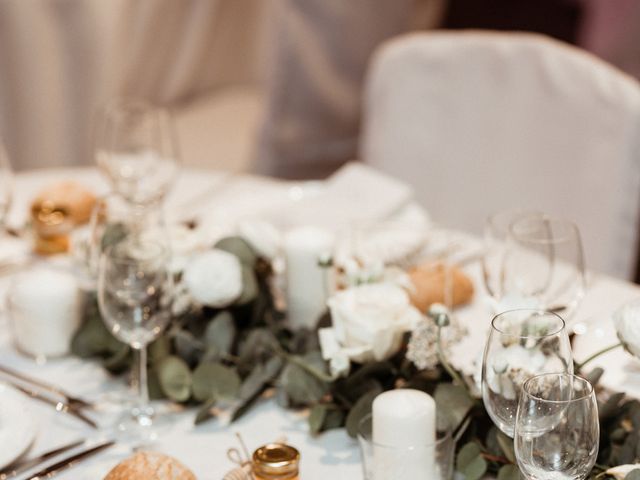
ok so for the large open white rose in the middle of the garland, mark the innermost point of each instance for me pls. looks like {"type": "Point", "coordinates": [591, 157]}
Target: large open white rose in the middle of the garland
{"type": "Point", "coordinates": [368, 323]}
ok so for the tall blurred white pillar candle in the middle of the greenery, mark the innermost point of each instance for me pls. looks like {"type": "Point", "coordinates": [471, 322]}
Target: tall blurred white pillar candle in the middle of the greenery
{"type": "Point", "coordinates": [306, 280]}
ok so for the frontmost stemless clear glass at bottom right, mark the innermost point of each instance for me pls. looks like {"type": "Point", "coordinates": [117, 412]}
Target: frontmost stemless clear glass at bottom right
{"type": "Point", "coordinates": [557, 429]}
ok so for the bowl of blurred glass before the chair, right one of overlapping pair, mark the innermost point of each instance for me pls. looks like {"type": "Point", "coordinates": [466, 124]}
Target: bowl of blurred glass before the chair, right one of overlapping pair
{"type": "Point", "coordinates": [544, 263]}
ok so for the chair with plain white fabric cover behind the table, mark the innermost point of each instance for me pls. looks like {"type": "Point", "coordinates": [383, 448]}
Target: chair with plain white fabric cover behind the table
{"type": "Point", "coordinates": [480, 122]}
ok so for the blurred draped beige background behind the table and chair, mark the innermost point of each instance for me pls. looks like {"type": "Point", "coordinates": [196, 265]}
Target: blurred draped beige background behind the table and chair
{"type": "Point", "coordinates": [270, 86]}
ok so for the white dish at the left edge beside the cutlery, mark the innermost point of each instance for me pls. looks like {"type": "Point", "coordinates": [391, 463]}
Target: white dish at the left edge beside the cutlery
{"type": "Point", "coordinates": [17, 425]}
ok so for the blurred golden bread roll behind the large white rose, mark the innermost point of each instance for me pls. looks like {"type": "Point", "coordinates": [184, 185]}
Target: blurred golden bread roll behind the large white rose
{"type": "Point", "coordinates": [429, 281]}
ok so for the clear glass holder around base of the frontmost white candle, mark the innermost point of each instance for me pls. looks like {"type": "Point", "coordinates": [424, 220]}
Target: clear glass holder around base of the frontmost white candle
{"type": "Point", "coordinates": [420, 462]}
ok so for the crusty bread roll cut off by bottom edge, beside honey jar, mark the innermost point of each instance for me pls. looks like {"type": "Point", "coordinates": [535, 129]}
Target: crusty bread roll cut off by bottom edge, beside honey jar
{"type": "Point", "coordinates": [150, 466]}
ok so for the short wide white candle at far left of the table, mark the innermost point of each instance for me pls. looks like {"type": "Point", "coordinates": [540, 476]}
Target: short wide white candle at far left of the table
{"type": "Point", "coordinates": [45, 307]}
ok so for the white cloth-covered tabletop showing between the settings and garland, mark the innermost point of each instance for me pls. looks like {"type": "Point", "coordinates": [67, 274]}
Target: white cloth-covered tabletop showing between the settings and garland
{"type": "Point", "coordinates": [219, 197]}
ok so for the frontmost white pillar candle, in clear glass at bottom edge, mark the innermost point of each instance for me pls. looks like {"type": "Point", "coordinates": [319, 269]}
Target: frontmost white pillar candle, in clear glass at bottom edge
{"type": "Point", "coordinates": [404, 435]}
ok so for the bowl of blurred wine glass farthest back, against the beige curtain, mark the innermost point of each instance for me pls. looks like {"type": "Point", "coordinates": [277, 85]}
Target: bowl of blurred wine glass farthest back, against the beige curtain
{"type": "Point", "coordinates": [136, 147]}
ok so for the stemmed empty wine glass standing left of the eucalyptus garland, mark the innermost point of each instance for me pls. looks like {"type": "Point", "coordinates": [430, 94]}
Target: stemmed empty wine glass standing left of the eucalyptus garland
{"type": "Point", "coordinates": [134, 296]}
